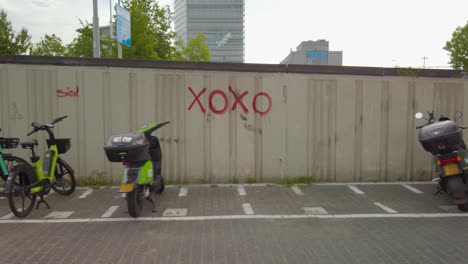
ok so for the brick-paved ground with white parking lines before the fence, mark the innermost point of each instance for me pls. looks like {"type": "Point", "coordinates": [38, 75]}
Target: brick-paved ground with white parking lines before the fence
{"type": "Point", "coordinates": [321, 223]}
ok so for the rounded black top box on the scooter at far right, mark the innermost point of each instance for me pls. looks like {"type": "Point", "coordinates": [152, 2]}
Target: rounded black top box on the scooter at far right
{"type": "Point", "coordinates": [441, 137]}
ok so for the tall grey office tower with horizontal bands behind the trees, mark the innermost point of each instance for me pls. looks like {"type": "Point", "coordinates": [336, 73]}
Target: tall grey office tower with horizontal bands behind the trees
{"type": "Point", "coordinates": [222, 21]}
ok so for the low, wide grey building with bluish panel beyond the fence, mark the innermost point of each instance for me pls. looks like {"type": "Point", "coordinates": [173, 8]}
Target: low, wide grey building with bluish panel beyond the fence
{"type": "Point", "coordinates": [314, 53]}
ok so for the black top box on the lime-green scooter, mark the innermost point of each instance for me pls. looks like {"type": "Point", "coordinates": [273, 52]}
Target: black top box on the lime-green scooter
{"type": "Point", "coordinates": [130, 147]}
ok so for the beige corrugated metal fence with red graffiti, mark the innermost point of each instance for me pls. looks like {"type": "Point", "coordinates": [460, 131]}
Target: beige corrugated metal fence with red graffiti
{"type": "Point", "coordinates": [233, 122]}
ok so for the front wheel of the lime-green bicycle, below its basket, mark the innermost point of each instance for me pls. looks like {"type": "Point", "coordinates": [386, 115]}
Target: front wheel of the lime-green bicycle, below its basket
{"type": "Point", "coordinates": [65, 182]}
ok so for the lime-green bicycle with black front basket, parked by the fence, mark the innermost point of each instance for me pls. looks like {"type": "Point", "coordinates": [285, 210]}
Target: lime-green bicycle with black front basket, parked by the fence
{"type": "Point", "coordinates": [27, 181]}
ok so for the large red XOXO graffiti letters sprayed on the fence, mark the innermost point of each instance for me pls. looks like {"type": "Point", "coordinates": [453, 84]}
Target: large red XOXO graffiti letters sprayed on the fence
{"type": "Point", "coordinates": [237, 101]}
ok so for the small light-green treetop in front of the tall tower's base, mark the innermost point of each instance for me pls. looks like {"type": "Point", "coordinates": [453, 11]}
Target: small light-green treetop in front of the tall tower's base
{"type": "Point", "coordinates": [196, 49]}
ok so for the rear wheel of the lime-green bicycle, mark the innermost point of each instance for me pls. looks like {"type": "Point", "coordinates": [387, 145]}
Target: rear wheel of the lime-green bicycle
{"type": "Point", "coordinates": [20, 198]}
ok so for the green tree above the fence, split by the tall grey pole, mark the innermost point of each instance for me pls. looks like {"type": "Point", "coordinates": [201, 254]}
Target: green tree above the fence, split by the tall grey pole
{"type": "Point", "coordinates": [82, 46]}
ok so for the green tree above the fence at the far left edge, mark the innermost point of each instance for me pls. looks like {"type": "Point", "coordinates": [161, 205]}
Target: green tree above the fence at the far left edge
{"type": "Point", "coordinates": [10, 42]}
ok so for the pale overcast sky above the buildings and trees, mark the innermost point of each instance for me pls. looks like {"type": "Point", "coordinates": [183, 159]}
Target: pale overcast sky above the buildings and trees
{"type": "Point", "coordinates": [371, 33]}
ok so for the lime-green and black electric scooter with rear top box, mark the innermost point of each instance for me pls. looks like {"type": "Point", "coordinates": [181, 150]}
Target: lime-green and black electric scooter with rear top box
{"type": "Point", "coordinates": [141, 155]}
